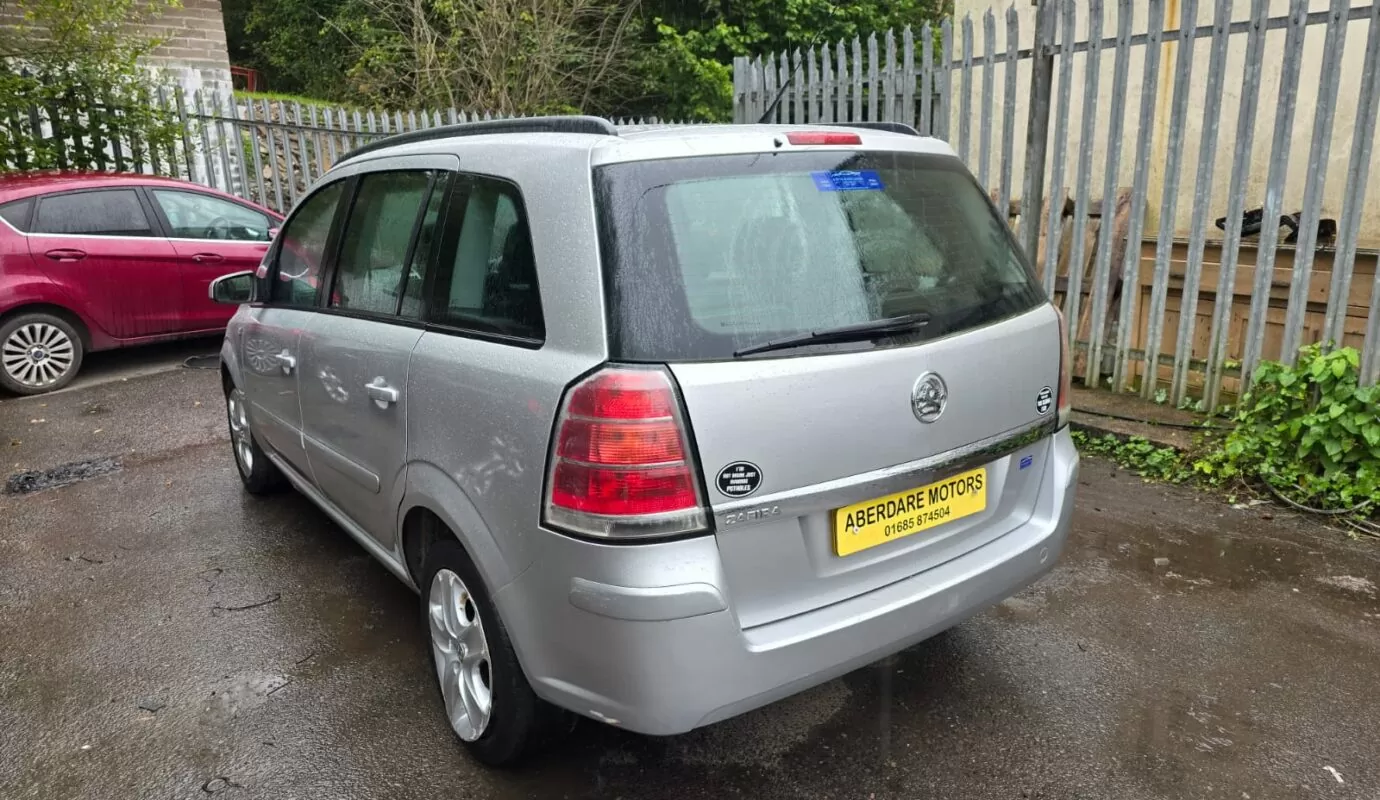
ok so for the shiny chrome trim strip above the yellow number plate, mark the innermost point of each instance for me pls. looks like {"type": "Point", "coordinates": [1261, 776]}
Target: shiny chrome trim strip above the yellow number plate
{"type": "Point", "coordinates": [807, 500]}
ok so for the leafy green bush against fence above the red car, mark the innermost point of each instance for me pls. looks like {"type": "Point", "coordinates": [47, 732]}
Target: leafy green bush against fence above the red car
{"type": "Point", "coordinates": [75, 64]}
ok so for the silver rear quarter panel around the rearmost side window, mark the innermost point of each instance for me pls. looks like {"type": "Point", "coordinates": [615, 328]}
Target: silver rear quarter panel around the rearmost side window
{"type": "Point", "coordinates": [480, 413]}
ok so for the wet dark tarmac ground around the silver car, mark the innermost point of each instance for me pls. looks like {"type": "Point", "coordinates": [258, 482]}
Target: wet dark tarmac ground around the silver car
{"type": "Point", "coordinates": [165, 635]}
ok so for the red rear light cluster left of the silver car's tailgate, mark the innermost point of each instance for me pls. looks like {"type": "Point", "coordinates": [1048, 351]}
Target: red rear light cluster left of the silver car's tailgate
{"type": "Point", "coordinates": [622, 464]}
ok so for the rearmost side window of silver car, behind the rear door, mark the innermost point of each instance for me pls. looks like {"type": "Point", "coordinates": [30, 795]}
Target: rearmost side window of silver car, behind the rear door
{"type": "Point", "coordinates": [491, 283]}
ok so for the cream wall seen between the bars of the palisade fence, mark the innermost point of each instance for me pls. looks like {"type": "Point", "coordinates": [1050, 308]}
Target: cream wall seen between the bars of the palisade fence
{"type": "Point", "coordinates": [1228, 139]}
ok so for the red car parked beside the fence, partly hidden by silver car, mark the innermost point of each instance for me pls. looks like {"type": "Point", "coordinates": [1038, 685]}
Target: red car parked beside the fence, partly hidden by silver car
{"type": "Point", "coordinates": [97, 261]}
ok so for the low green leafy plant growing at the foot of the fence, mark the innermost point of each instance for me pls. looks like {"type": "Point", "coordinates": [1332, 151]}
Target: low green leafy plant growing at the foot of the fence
{"type": "Point", "coordinates": [1310, 432]}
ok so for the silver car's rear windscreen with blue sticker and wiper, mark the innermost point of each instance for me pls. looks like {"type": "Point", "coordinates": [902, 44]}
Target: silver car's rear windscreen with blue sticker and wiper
{"type": "Point", "coordinates": [707, 256]}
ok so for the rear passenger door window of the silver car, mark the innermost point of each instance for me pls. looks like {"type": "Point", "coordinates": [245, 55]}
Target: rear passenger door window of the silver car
{"type": "Point", "coordinates": [375, 245]}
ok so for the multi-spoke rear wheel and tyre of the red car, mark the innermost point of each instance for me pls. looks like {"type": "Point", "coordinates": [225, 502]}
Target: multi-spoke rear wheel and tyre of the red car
{"type": "Point", "coordinates": [39, 354]}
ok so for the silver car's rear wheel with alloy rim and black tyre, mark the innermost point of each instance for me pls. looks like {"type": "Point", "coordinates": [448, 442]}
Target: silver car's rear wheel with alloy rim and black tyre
{"type": "Point", "coordinates": [488, 700]}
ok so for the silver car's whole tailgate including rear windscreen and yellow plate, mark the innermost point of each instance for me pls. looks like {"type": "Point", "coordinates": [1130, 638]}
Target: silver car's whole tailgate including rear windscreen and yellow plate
{"type": "Point", "coordinates": [848, 326]}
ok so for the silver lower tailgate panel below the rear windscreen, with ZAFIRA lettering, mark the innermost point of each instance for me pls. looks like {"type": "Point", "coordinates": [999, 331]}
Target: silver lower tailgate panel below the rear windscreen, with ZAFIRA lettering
{"type": "Point", "coordinates": [829, 432]}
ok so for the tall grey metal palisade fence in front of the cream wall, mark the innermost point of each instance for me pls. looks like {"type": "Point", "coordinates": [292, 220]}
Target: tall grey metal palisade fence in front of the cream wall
{"type": "Point", "coordinates": [1192, 190]}
